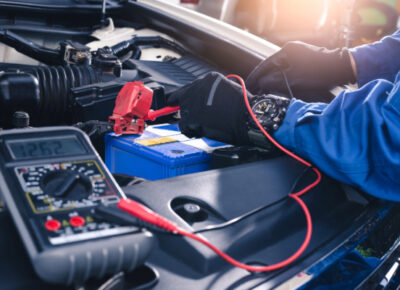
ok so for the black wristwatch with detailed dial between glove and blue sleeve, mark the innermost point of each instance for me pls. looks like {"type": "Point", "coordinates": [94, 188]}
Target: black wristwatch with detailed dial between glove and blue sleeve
{"type": "Point", "coordinates": [270, 110]}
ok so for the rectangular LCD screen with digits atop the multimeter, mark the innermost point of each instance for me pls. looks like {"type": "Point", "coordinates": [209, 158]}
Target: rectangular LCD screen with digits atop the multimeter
{"type": "Point", "coordinates": [44, 147]}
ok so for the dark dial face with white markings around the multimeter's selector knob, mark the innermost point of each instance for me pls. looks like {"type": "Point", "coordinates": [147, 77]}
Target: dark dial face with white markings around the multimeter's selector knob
{"type": "Point", "coordinates": [62, 186]}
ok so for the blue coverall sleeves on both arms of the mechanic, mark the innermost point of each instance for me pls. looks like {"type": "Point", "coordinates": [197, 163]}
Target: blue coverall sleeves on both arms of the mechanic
{"type": "Point", "coordinates": [355, 138]}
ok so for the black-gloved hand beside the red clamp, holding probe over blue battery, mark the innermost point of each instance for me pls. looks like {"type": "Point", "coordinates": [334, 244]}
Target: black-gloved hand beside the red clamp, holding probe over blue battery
{"type": "Point", "coordinates": [213, 107]}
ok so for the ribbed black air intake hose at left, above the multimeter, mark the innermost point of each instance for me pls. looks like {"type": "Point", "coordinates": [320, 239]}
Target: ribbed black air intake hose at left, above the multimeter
{"type": "Point", "coordinates": [43, 91]}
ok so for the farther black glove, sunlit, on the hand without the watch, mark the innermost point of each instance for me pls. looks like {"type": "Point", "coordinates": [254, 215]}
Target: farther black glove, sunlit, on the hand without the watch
{"type": "Point", "coordinates": [307, 67]}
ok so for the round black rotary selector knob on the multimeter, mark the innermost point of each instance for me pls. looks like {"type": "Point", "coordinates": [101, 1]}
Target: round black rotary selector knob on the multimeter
{"type": "Point", "coordinates": [66, 184]}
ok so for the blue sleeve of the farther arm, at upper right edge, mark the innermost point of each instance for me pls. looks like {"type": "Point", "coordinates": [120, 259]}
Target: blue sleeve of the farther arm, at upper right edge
{"type": "Point", "coordinates": [379, 60]}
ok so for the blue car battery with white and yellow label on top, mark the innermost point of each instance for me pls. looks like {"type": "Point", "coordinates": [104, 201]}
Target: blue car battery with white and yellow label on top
{"type": "Point", "coordinates": [162, 151]}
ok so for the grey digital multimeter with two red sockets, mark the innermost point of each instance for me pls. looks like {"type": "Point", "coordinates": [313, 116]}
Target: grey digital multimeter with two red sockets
{"type": "Point", "coordinates": [51, 181]}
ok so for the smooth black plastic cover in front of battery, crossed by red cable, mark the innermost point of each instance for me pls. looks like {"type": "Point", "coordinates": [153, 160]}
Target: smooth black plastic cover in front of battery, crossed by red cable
{"type": "Point", "coordinates": [228, 193]}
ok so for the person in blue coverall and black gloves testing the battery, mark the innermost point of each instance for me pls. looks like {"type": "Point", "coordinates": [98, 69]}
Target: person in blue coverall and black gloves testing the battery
{"type": "Point", "coordinates": [355, 138]}
